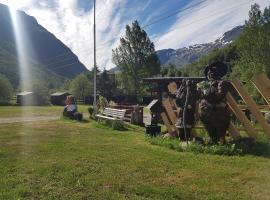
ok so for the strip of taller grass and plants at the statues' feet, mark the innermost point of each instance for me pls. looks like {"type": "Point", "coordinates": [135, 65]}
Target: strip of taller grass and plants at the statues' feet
{"type": "Point", "coordinates": [259, 148]}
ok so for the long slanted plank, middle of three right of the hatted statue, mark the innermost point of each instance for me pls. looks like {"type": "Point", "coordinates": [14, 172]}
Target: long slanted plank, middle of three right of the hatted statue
{"type": "Point", "coordinates": [255, 111]}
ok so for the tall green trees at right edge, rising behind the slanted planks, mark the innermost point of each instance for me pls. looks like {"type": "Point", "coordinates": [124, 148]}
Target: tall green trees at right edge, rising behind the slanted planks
{"type": "Point", "coordinates": [253, 47]}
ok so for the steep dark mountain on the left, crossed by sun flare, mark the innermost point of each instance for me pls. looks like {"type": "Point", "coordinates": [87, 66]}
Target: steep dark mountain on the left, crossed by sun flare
{"type": "Point", "coordinates": [47, 56]}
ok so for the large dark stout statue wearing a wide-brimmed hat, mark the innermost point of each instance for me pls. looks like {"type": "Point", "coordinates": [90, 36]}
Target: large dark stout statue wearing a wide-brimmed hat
{"type": "Point", "coordinates": [213, 110]}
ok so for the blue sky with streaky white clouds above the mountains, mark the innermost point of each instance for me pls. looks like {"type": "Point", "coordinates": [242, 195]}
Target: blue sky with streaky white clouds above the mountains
{"type": "Point", "coordinates": [168, 23]}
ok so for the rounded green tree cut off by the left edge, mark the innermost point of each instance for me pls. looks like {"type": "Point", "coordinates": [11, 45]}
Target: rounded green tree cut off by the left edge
{"type": "Point", "coordinates": [5, 89]}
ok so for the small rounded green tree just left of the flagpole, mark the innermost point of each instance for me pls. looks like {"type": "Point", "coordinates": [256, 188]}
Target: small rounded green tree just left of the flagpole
{"type": "Point", "coordinates": [81, 87]}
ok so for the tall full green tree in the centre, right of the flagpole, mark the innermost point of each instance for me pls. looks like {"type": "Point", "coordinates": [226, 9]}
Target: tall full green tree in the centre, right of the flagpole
{"type": "Point", "coordinates": [137, 58]}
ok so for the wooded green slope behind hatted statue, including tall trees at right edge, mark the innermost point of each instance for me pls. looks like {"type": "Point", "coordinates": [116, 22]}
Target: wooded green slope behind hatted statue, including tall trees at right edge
{"type": "Point", "coordinates": [248, 55]}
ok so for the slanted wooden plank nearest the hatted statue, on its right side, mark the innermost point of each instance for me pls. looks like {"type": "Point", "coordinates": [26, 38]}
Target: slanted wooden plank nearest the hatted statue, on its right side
{"type": "Point", "coordinates": [240, 115]}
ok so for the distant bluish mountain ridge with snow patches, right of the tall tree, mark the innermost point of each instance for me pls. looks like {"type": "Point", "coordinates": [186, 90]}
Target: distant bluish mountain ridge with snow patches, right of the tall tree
{"type": "Point", "coordinates": [187, 55]}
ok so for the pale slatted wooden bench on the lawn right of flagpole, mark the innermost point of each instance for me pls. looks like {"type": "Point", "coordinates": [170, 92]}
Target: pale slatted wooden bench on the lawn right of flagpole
{"type": "Point", "coordinates": [112, 114]}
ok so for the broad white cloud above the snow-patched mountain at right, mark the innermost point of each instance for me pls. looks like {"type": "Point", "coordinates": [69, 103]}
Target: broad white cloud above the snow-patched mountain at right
{"type": "Point", "coordinates": [206, 22]}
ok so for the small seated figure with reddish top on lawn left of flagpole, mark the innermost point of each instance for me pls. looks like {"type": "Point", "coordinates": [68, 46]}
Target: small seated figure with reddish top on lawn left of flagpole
{"type": "Point", "coordinates": [70, 110]}
